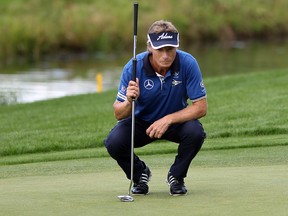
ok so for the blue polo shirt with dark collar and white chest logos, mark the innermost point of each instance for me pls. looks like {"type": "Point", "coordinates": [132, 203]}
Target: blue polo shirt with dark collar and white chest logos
{"type": "Point", "coordinates": [163, 96]}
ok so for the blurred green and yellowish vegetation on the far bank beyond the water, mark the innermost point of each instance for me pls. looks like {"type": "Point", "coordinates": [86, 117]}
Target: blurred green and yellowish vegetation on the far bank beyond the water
{"type": "Point", "coordinates": [33, 28]}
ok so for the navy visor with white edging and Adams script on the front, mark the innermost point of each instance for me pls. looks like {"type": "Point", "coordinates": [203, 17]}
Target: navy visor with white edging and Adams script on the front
{"type": "Point", "coordinates": [163, 39]}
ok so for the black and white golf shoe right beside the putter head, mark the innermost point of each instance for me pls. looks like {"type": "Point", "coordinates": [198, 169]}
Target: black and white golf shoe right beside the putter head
{"type": "Point", "coordinates": [141, 187]}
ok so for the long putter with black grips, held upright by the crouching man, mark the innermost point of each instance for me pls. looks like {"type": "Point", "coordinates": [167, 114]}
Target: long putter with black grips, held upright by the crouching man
{"type": "Point", "coordinates": [129, 198]}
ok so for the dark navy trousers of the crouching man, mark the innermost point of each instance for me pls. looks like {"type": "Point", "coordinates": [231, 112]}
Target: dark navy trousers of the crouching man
{"type": "Point", "coordinates": [189, 135]}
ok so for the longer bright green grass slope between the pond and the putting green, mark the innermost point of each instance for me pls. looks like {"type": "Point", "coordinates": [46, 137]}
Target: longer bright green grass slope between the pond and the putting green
{"type": "Point", "coordinates": [244, 111]}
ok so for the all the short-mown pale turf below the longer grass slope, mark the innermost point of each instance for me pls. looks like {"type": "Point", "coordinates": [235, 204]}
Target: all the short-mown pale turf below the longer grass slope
{"type": "Point", "coordinates": [221, 182]}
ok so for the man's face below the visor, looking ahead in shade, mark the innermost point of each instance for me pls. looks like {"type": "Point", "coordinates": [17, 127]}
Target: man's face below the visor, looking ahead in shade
{"type": "Point", "coordinates": [163, 57]}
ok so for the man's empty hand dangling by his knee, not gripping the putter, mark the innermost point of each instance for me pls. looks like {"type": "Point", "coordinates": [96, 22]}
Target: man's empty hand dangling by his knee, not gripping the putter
{"type": "Point", "coordinates": [158, 128]}
